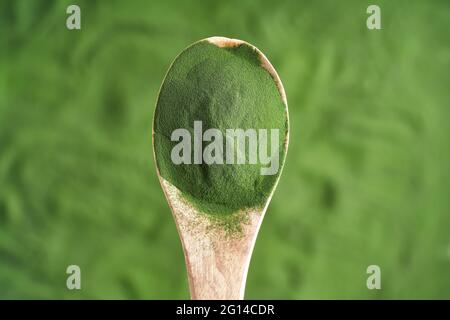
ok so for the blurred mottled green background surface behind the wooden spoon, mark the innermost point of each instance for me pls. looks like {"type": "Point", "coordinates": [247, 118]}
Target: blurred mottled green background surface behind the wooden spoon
{"type": "Point", "coordinates": [367, 176]}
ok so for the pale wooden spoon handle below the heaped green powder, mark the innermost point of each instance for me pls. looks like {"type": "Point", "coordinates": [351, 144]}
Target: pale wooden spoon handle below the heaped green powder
{"type": "Point", "coordinates": [217, 264]}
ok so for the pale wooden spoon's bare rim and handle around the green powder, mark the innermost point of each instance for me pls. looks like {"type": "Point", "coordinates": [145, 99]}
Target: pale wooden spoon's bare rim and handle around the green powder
{"type": "Point", "coordinates": [217, 264]}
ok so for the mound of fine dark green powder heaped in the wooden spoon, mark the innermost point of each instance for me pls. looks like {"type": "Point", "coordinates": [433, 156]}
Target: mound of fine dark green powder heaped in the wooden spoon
{"type": "Point", "coordinates": [225, 88]}
